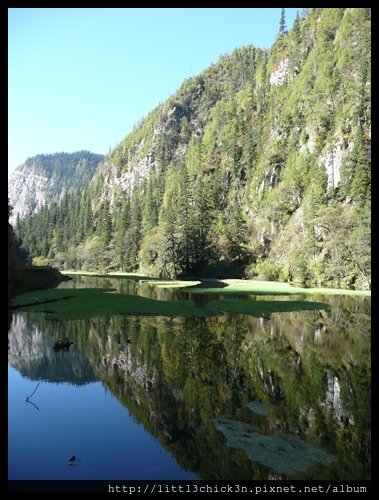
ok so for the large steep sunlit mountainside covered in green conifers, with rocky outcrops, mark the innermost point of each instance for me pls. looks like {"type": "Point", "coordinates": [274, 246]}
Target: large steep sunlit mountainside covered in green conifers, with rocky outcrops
{"type": "Point", "coordinates": [258, 167]}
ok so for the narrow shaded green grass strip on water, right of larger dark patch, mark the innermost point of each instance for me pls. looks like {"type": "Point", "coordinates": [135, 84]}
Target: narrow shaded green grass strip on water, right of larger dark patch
{"type": "Point", "coordinates": [264, 307]}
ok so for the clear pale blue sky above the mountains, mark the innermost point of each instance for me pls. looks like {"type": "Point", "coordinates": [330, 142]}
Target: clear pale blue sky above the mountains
{"type": "Point", "coordinates": [81, 78]}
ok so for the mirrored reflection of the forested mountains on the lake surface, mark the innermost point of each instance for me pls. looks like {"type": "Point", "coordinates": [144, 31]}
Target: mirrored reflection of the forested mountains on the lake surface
{"type": "Point", "coordinates": [297, 384]}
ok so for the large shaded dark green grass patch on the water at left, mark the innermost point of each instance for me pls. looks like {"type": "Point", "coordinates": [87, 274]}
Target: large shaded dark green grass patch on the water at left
{"type": "Point", "coordinates": [91, 302]}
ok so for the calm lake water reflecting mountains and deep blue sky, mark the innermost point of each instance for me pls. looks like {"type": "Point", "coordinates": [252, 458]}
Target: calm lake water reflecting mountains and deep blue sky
{"type": "Point", "coordinates": [227, 397]}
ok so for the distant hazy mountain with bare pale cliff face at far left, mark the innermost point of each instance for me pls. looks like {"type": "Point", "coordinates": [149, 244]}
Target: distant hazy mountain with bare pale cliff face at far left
{"type": "Point", "coordinates": [44, 178]}
